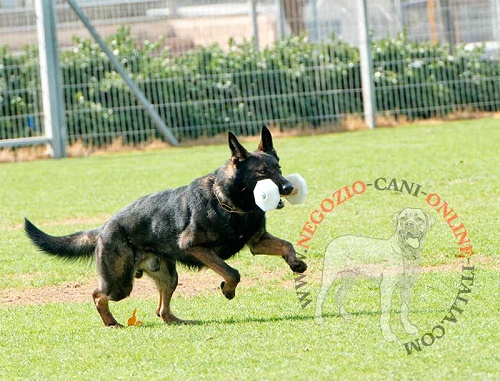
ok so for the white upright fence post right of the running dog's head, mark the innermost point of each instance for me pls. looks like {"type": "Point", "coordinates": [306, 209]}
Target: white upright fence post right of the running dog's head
{"type": "Point", "coordinates": [366, 66]}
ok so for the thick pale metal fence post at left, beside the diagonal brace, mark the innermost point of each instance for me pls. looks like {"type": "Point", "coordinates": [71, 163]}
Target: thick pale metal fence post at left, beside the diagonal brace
{"type": "Point", "coordinates": [50, 77]}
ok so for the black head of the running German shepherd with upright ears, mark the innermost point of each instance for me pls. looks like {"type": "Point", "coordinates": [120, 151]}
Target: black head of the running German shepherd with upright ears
{"type": "Point", "coordinates": [250, 167]}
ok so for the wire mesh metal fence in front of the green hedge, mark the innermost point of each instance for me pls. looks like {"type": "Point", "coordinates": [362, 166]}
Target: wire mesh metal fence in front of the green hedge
{"type": "Point", "coordinates": [222, 65]}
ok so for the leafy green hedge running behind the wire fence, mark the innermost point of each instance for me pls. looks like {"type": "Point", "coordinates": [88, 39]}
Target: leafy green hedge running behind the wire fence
{"type": "Point", "coordinates": [293, 83]}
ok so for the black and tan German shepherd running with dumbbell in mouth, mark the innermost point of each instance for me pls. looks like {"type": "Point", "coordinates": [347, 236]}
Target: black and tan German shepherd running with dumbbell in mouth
{"type": "Point", "coordinates": [201, 224]}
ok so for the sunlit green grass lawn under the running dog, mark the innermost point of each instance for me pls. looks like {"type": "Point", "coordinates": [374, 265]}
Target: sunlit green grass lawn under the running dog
{"type": "Point", "coordinates": [264, 333]}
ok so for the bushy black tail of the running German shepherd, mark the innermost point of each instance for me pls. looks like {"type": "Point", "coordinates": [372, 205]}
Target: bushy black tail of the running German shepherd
{"type": "Point", "coordinates": [74, 246]}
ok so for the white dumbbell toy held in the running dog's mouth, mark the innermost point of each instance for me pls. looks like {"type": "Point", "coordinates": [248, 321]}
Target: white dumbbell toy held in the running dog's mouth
{"type": "Point", "coordinates": [267, 195]}
